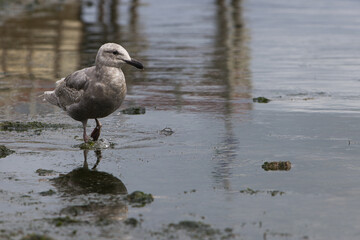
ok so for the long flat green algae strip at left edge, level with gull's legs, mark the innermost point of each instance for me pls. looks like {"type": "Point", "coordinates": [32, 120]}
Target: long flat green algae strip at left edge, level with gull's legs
{"type": "Point", "coordinates": [26, 126]}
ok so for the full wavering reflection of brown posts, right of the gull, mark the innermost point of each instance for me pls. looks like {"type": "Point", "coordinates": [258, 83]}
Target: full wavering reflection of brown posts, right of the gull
{"type": "Point", "coordinates": [230, 68]}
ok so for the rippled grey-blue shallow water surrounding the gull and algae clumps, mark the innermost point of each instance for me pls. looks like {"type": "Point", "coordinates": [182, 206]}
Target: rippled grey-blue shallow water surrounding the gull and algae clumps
{"type": "Point", "coordinates": [205, 61]}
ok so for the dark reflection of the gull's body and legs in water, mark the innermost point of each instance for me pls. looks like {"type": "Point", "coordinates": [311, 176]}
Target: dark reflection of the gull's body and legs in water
{"type": "Point", "coordinates": [98, 195]}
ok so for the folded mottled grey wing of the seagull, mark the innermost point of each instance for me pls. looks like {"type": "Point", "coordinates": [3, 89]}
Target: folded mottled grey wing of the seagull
{"type": "Point", "coordinates": [69, 90]}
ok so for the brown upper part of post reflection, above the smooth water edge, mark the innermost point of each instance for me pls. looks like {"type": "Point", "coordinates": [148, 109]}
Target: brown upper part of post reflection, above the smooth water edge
{"type": "Point", "coordinates": [231, 57]}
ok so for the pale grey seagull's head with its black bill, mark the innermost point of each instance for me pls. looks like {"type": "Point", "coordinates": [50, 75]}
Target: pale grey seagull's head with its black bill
{"type": "Point", "coordinates": [114, 55]}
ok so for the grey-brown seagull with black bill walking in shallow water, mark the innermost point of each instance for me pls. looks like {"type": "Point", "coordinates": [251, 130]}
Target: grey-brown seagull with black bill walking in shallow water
{"type": "Point", "coordinates": [94, 92]}
